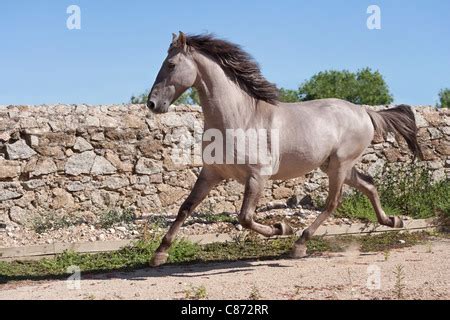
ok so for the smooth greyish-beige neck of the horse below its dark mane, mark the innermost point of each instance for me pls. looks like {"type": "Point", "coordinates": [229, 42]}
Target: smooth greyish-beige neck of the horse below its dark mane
{"type": "Point", "coordinates": [224, 104]}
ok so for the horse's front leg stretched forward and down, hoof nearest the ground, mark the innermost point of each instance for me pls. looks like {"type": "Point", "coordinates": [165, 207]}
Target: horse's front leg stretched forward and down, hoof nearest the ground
{"type": "Point", "coordinates": [205, 182]}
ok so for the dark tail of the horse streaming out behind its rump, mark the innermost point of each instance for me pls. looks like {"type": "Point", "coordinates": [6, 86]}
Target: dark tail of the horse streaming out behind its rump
{"type": "Point", "coordinates": [398, 120]}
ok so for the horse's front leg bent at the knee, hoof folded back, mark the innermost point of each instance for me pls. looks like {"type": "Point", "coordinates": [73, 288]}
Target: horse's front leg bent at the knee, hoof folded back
{"type": "Point", "coordinates": [253, 189]}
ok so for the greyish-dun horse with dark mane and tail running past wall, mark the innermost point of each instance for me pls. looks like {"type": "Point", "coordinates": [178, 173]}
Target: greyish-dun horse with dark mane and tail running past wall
{"type": "Point", "coordinates": [330, 134]}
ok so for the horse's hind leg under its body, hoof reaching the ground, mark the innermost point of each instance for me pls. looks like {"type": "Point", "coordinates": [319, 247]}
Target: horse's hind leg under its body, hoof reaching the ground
{"type": "Point", "coordinates": [337, 173]}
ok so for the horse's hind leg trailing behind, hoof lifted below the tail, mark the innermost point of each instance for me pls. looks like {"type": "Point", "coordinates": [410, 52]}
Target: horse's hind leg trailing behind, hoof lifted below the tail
{"type": "Point", "coordinates": [365, 184]}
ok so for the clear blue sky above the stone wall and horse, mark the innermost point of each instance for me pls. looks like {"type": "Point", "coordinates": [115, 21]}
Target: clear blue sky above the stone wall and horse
{"type": "Point", "coordinates": [121, 44]}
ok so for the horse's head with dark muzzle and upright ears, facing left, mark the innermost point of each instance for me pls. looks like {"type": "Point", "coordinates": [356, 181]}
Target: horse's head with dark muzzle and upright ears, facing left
{"type": "Point", "coordinates": [177, 74]}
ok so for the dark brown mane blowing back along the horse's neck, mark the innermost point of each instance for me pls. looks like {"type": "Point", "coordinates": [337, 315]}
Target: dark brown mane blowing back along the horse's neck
{"type": "Point", "coordinates": [237, 64]}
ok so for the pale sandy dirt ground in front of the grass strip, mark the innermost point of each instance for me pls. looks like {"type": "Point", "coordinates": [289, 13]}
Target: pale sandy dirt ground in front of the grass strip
{"type": "Point", "coordinates": [419, 272]}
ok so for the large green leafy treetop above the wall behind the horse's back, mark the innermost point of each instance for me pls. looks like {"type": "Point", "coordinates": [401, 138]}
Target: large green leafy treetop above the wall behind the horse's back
{"type": "Point", "coordinates": [362, 87]}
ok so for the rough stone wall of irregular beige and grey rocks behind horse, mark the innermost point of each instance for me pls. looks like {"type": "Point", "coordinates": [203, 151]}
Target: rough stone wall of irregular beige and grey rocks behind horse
{"type": "Point", "coordinates": [83, 160]}
